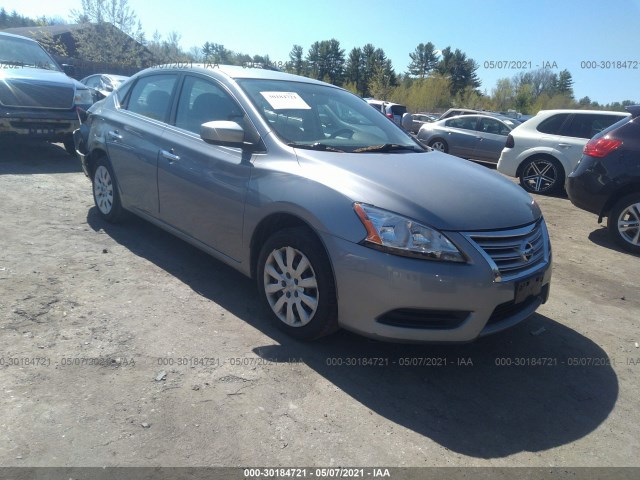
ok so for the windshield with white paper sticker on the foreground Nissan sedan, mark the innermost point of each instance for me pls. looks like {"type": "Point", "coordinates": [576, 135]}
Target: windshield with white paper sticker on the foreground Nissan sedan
{"type": "Point", "coordinates": [320, 117]}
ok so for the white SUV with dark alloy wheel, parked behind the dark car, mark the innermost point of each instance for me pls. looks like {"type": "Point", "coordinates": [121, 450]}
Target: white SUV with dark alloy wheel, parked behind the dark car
{"type": "Point", "coordinates": [545, 149]}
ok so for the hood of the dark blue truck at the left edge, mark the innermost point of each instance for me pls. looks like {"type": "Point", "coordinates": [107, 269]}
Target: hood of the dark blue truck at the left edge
{"type": "Point", "coordinates": [37, 88]}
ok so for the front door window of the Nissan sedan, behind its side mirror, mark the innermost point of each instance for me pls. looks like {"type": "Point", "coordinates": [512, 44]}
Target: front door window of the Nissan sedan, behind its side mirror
{"type": "Point", "coordinates": [203, 101]}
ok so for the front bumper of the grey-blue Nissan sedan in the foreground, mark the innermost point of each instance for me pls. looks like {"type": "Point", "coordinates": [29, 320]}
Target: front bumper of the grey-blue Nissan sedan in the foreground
{"type": "Point", "coordinates": [380, 295]}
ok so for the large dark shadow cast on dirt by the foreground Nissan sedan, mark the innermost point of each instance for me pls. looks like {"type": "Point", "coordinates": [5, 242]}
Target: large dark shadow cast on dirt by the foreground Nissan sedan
{"type": "Point", "coordinates": [511, 392]}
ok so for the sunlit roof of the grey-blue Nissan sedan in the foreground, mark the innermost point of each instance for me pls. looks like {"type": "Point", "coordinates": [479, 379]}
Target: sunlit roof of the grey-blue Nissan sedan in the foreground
{"type": "Point", "coordinates": [235, 72]}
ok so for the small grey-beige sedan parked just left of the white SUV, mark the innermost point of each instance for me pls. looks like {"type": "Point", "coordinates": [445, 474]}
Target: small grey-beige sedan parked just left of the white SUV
{"type": "Point", "coordinates": [479, 137]}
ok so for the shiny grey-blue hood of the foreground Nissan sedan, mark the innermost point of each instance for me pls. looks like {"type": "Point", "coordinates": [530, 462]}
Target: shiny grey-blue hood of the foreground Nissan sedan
{"type": "Point", "coordinates": [434, 188]}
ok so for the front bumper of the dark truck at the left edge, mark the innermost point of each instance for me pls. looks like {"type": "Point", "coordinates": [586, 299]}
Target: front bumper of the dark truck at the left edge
{"type": "Point", "coordinates": [52, 125]}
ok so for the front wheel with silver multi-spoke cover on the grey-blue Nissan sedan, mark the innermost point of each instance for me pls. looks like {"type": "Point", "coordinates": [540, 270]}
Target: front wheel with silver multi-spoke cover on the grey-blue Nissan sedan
{"type": "Point", "coordinates": [289, 294]}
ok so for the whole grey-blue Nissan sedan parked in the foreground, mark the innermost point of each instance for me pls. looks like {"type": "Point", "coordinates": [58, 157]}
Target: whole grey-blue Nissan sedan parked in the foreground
{"type": "Point", "coordinates": [340, 216]}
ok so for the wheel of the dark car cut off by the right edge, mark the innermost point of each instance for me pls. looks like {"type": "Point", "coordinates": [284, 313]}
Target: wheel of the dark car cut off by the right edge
{"type": "Point", "coordinates": [624, 223]}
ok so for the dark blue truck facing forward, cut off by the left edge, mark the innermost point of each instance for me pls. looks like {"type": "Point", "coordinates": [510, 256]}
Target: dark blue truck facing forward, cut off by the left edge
{"type": "Point", "coordinates": [37, 99]}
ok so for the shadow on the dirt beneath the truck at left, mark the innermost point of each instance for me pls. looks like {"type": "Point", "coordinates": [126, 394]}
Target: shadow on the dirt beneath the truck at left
{"type": "Point", "coordinates": [22, 157]}
